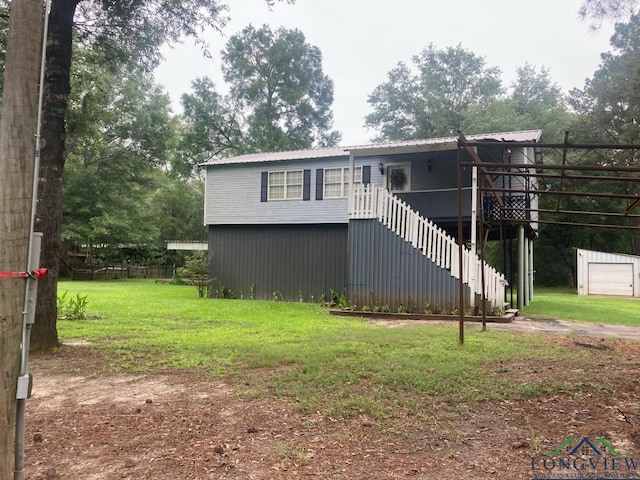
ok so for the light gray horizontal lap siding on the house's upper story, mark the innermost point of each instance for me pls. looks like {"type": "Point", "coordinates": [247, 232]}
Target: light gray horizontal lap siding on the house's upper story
{"type": "Point", "coordinates": [233, 192]}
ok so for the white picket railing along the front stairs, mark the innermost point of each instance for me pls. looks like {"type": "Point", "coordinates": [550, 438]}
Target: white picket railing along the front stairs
{"type": "Point", "coordinates": [369, 202]}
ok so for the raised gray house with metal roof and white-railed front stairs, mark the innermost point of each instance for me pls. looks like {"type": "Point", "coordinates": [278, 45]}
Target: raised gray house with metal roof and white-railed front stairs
{"type": "Point", "coordinates": [374, 221]}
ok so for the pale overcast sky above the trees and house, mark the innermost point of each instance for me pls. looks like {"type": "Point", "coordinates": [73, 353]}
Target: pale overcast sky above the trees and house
{"type": "Point", "coordinates": [361, 40]}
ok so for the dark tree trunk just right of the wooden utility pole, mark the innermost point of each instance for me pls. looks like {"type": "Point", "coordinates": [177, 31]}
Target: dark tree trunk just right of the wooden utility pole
{"type": "Point", "coordinates": [44, 336]}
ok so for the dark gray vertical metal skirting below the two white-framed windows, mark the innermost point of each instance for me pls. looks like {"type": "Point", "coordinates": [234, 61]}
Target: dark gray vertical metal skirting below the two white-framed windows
{"type": "Point", "coordinates": [294, 260]}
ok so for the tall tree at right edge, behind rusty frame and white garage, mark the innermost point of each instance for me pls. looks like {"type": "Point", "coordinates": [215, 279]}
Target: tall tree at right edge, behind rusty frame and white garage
{"type": "Point", "coordinates": [606, 109]}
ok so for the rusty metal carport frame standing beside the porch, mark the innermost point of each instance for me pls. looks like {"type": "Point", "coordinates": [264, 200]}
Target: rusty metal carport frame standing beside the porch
{"type": "Point", "coordinates": [490, 170]}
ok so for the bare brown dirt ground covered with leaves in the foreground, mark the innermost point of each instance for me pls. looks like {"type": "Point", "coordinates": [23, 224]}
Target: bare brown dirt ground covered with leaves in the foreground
{"type": "Point", "coordinates": [185, 426]}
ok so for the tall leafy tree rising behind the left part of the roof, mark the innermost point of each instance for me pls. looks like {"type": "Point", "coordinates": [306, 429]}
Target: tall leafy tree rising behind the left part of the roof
{"type": "Point", "coordinates": [278, 77]}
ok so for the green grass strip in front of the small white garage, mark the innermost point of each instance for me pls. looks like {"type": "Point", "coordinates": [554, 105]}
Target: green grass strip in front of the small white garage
{"type": "Point", "coordinates": [564, 304]}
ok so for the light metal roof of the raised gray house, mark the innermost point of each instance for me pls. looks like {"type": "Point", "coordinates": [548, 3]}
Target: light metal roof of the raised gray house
{"type": "Point", "coordinates": [407, 146]}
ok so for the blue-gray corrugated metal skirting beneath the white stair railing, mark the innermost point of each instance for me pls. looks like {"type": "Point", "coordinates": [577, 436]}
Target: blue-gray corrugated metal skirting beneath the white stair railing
{"type": "Point", "coordinates": [386, 270]}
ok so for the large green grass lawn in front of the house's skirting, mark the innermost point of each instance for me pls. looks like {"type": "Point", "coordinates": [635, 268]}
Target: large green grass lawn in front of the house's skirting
{"type": "Point", "coordinates": [295, 350]}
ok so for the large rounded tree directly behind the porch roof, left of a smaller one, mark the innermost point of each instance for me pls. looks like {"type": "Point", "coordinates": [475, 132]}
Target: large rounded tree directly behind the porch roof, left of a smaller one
{"type": "Point", "coordinates": [433, 99]}
